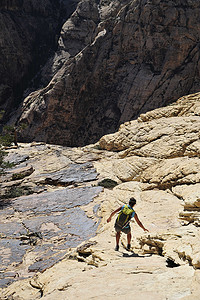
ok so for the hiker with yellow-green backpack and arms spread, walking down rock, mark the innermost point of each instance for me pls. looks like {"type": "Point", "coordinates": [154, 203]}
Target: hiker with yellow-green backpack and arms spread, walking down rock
{"type": "Point", "coordinates": [122, 222]}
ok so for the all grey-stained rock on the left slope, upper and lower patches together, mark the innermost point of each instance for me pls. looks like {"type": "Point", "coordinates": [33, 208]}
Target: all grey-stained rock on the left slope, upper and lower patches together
{"type": "Point", "coordinates": [46, 224]}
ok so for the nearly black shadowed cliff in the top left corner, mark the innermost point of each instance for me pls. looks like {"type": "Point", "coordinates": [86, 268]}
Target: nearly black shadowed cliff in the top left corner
{"type": "Point", "coordinates": [28, 37]}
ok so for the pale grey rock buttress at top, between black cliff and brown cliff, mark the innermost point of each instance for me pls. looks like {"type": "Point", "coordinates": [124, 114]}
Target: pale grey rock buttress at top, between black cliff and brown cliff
{"type": "Point", "coordinates": [77, 32]}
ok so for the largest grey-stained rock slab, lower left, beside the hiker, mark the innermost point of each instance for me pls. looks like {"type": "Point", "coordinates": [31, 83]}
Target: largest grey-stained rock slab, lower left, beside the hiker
{"type": "Point", "coordinates": [60, 209]}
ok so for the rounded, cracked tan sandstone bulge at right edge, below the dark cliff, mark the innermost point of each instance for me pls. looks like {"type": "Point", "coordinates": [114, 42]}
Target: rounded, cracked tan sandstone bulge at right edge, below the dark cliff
{"type": "Point", "coordinates": [155, 138]}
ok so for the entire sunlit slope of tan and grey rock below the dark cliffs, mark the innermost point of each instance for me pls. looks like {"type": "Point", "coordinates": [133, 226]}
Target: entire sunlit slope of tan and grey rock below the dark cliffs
{"type": "Point", "coordinates": [155, 159]}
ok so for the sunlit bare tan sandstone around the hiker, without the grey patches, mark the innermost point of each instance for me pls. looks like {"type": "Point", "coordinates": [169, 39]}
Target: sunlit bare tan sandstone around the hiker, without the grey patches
{"type": "Point", "coordinates": [163, 263]}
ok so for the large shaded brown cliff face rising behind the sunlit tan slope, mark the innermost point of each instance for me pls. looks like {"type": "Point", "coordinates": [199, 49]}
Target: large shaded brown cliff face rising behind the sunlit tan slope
{"type": "Point", "coordinates": [115, 60]}
